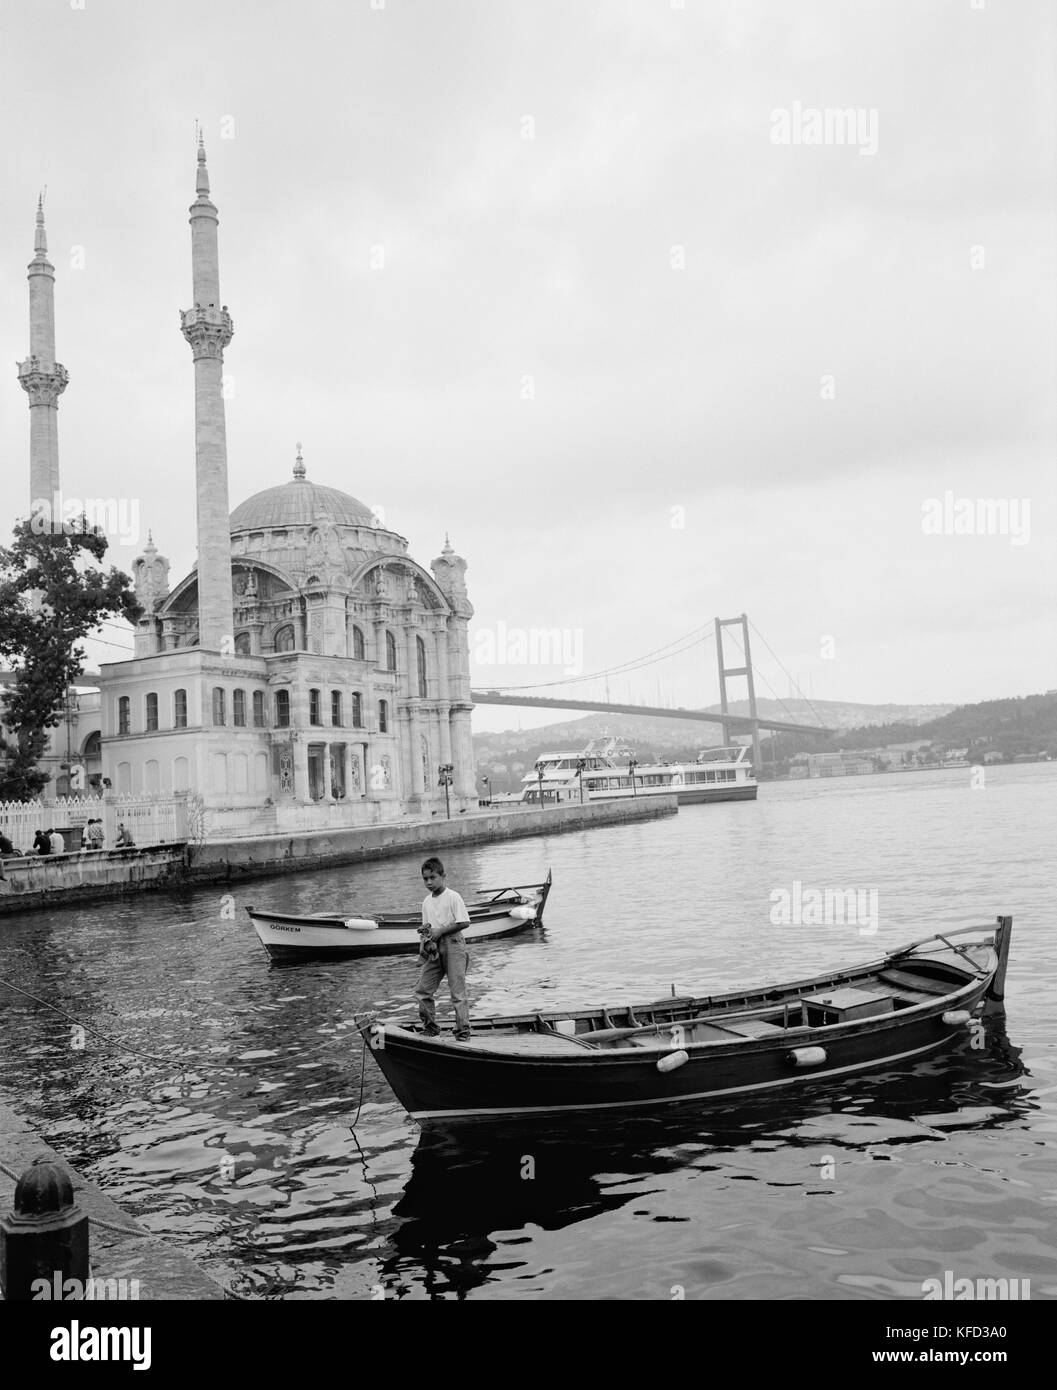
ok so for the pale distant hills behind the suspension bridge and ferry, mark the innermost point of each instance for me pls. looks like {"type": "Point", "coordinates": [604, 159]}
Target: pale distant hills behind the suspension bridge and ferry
{"type": "Point", "coordinates": [506, 757]}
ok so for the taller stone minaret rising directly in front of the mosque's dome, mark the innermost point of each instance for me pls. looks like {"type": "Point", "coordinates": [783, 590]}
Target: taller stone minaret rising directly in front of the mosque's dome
{"type": "Point", "coordinates": [208, 329]}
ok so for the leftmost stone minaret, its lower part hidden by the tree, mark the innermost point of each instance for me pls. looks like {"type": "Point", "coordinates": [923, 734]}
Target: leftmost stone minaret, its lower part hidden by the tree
{"type": "Point", "coordinates": [42, 377]}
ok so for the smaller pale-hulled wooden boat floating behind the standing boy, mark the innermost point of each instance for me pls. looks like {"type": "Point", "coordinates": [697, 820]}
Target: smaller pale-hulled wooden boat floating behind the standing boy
{"type": "Point", "coordinates": [497, 913]}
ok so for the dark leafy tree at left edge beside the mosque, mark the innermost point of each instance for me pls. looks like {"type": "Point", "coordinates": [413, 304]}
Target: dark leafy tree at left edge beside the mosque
{"type": "Point", "coordinates": [52, 596]}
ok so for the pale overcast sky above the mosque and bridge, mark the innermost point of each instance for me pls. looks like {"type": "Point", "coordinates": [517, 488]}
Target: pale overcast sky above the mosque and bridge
{"type": "Point", "coordinates": [618, 293]}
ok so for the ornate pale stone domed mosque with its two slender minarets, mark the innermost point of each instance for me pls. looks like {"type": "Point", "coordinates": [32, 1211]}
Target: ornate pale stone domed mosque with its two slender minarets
{"type": "Point", "coordinates": [308, 673]}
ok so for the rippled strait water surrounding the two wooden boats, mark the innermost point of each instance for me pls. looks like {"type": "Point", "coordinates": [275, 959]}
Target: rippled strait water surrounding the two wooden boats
{"type": "Point", "coordinates": [240, 1147]}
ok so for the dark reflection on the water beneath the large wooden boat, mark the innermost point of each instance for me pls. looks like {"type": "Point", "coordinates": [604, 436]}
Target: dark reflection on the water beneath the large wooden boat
{"type": "Point", "coordinates": [474, 1182]}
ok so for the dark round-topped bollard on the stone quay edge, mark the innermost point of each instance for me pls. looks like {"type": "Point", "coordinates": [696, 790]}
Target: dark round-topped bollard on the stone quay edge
{"type": "Point", "coordinates": [45, 1238]}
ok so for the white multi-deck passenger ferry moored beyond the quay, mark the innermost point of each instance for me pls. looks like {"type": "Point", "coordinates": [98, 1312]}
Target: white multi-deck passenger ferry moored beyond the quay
{"type": "Point", "coordinates": [717, 775]}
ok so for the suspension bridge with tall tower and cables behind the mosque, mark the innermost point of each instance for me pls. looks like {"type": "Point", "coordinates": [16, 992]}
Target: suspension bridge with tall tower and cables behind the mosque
{"type": "Point", "coordinates": [752, 723]}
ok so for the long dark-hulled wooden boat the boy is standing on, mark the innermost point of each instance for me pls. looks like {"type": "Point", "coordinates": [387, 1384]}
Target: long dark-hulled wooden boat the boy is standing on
{"type": "Point", "coordinates": [906, 1006]}
